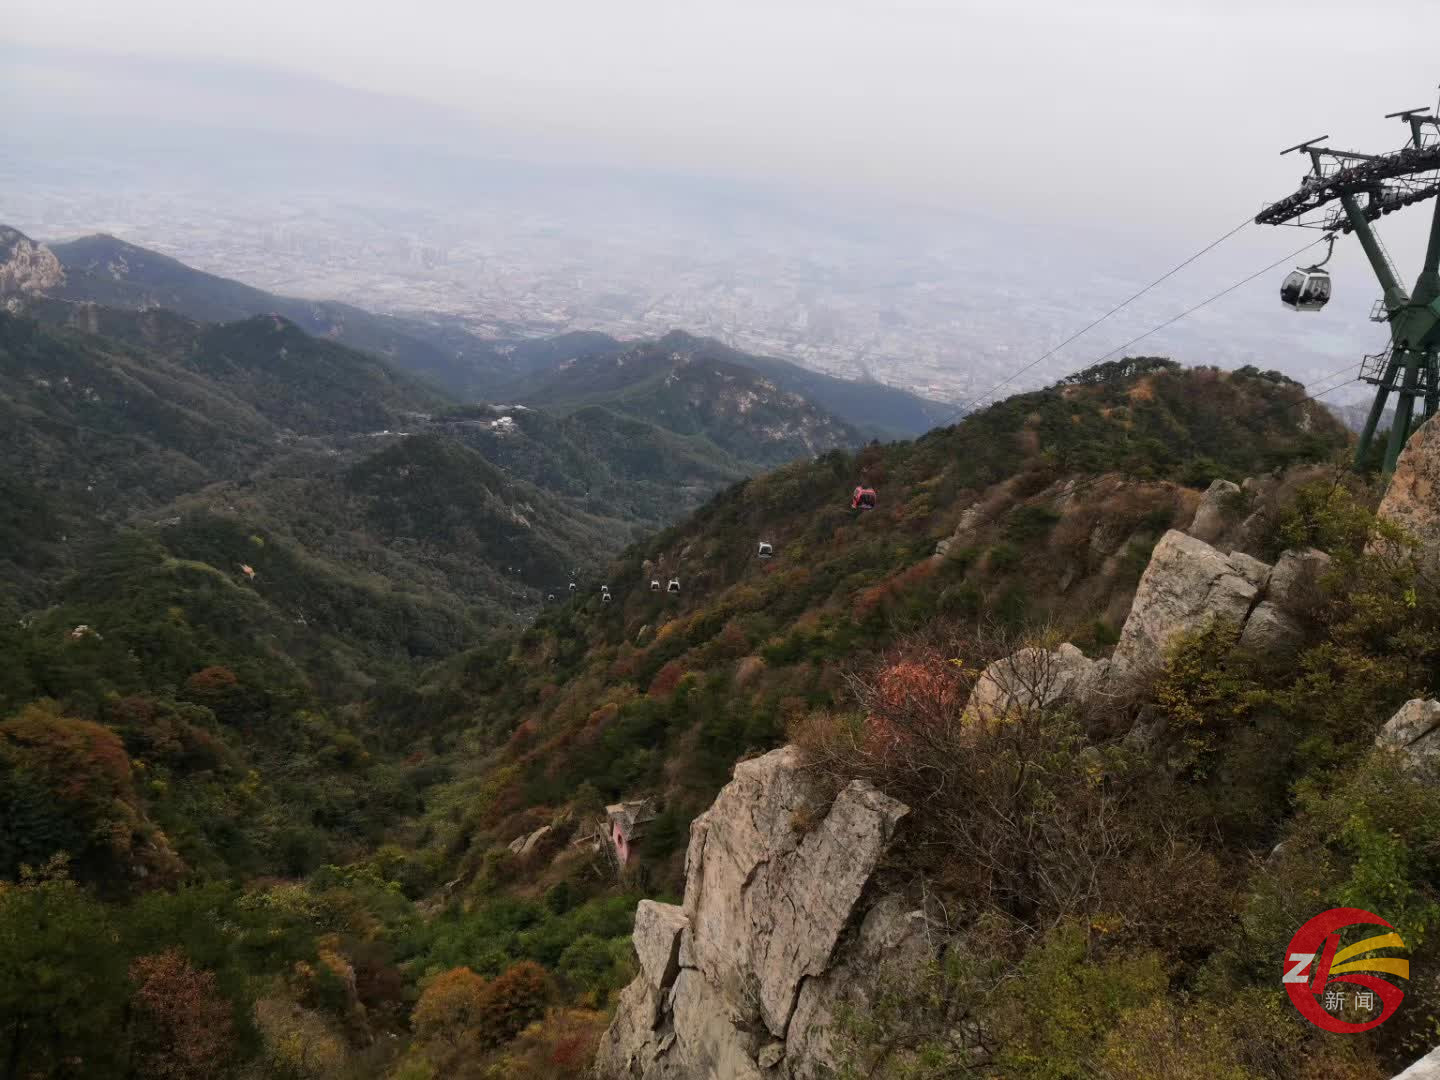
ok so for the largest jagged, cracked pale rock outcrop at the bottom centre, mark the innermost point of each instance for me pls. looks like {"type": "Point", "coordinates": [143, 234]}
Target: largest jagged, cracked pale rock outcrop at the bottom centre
{"type": "Point", "coordinates": [774, 932]}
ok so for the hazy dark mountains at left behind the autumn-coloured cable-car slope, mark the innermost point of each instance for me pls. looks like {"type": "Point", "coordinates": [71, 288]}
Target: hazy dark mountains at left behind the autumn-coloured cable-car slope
{"type": "Point", "coordinates": [328, 451]}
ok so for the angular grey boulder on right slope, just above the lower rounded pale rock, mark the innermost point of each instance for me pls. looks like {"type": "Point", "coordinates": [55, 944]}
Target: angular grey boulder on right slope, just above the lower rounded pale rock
{"type": "Point", "coordinates": [1186, 587]}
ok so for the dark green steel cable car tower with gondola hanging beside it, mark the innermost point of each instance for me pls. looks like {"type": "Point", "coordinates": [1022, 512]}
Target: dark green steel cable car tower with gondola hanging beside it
{"type": "Point", "coordinates": [1354, 191]}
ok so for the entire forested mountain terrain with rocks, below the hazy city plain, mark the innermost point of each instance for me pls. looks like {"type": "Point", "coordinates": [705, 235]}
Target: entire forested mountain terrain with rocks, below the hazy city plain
{"type": "Point", "coordinates": [315, 764]}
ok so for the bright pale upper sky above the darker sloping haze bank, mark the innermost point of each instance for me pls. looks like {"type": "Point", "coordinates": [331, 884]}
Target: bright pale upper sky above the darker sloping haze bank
{"type": "Point", "coordinates": [1104, 110]}
